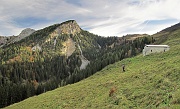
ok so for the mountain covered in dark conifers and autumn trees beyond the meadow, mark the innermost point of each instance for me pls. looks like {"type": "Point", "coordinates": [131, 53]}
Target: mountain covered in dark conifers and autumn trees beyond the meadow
{"type": "Point", "coordinates": [42, 61]}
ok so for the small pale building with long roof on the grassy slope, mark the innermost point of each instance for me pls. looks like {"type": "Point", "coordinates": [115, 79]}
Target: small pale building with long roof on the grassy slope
{"type": "Point", "coordinates": [148, 49]}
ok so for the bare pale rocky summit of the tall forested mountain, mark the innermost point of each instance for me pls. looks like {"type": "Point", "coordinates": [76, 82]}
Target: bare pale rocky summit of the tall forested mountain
{"type": "Point", "coordinates": [69, 27]}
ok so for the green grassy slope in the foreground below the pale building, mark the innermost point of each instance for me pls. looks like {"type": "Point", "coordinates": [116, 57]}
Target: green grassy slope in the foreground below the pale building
{"type": "Point", "coordinates": [149, 82]}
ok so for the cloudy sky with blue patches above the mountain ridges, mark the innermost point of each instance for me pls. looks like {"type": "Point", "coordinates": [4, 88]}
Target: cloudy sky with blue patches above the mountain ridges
{"type": "Point", "coordinates": [101, 17]}
